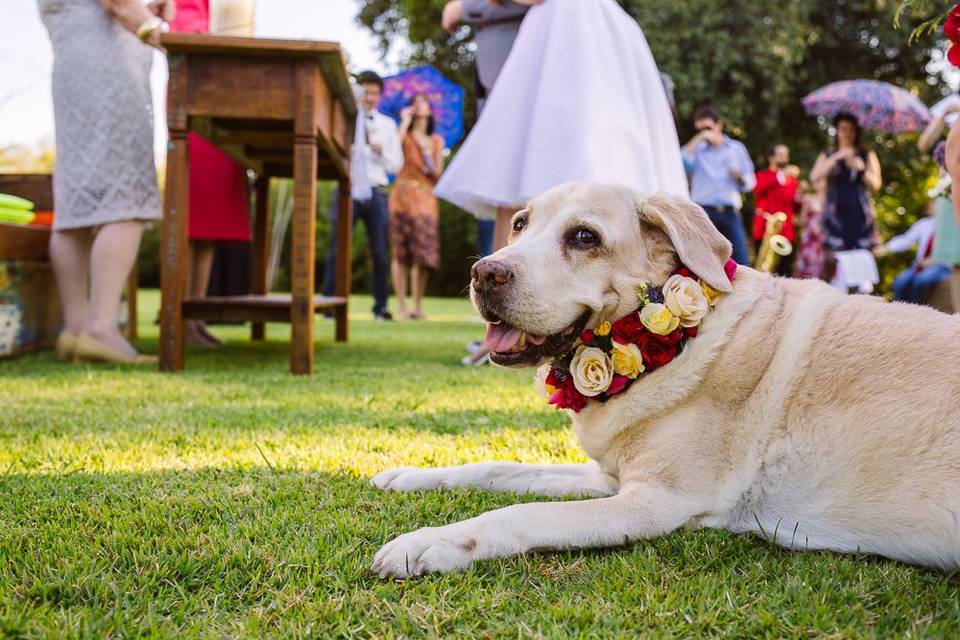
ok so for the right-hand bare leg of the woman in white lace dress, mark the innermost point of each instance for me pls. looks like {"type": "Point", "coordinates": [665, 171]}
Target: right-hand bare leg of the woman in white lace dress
{"type": "Point", "coordinates": [112, 256]}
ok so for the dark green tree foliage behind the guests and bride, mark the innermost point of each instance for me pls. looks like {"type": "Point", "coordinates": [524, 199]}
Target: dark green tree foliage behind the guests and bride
{"type": "Point", "coordinates": [754, 60]}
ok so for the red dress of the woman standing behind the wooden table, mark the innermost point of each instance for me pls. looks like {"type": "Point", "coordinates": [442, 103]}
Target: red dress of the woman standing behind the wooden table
{"type": "Point", "coordinates": [219, 199]}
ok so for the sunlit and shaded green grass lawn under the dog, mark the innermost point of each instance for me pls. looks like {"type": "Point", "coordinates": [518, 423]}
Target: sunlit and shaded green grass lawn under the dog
{"type": "Point", "coordinates": [233, 500]}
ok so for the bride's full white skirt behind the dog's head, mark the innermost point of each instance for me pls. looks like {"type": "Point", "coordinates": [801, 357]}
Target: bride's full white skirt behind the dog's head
{"type": "Point", "coordinates": [579, 98]}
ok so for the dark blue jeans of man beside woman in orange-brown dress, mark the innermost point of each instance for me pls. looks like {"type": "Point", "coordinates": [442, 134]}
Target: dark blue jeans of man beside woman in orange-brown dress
{"type": "Point", "coordinates": [376, 222]}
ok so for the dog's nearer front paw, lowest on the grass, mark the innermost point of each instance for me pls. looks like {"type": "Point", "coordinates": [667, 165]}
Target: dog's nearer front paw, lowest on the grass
{"type": "Point", "coordinates": [427, 550]}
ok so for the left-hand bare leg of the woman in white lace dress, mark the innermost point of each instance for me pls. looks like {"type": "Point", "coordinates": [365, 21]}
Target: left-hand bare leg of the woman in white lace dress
{"type": "Point", "coordinates": [70, 255]}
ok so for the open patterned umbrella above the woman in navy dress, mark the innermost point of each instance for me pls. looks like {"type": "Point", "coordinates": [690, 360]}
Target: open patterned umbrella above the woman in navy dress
{"type": "Point", "coordinates": [877, 105]}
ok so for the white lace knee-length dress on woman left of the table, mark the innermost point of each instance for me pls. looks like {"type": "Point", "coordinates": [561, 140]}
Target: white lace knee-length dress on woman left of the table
{"type": "Point", "coordinates": [104, 118]}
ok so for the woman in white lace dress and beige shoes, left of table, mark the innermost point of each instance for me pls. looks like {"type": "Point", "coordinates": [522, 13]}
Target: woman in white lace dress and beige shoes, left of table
{"type": "Point", "coordinates": [105, 183]}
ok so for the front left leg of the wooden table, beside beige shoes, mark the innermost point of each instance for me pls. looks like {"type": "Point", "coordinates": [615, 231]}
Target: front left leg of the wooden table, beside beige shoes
{"type": "Point", "coordinates": [173, 253]}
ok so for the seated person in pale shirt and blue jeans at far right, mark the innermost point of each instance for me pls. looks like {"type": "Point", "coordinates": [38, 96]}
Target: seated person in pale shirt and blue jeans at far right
{"type": "Point", "coordinates": [913, 284]}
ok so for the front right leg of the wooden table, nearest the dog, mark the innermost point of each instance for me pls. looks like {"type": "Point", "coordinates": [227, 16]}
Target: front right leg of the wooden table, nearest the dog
{"type": "Point", "coordinates": [303, 254]}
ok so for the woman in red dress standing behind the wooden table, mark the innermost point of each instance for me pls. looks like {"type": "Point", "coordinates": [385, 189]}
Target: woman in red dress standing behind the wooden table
{"type": "Point", "coordinates": [219, 197]}
